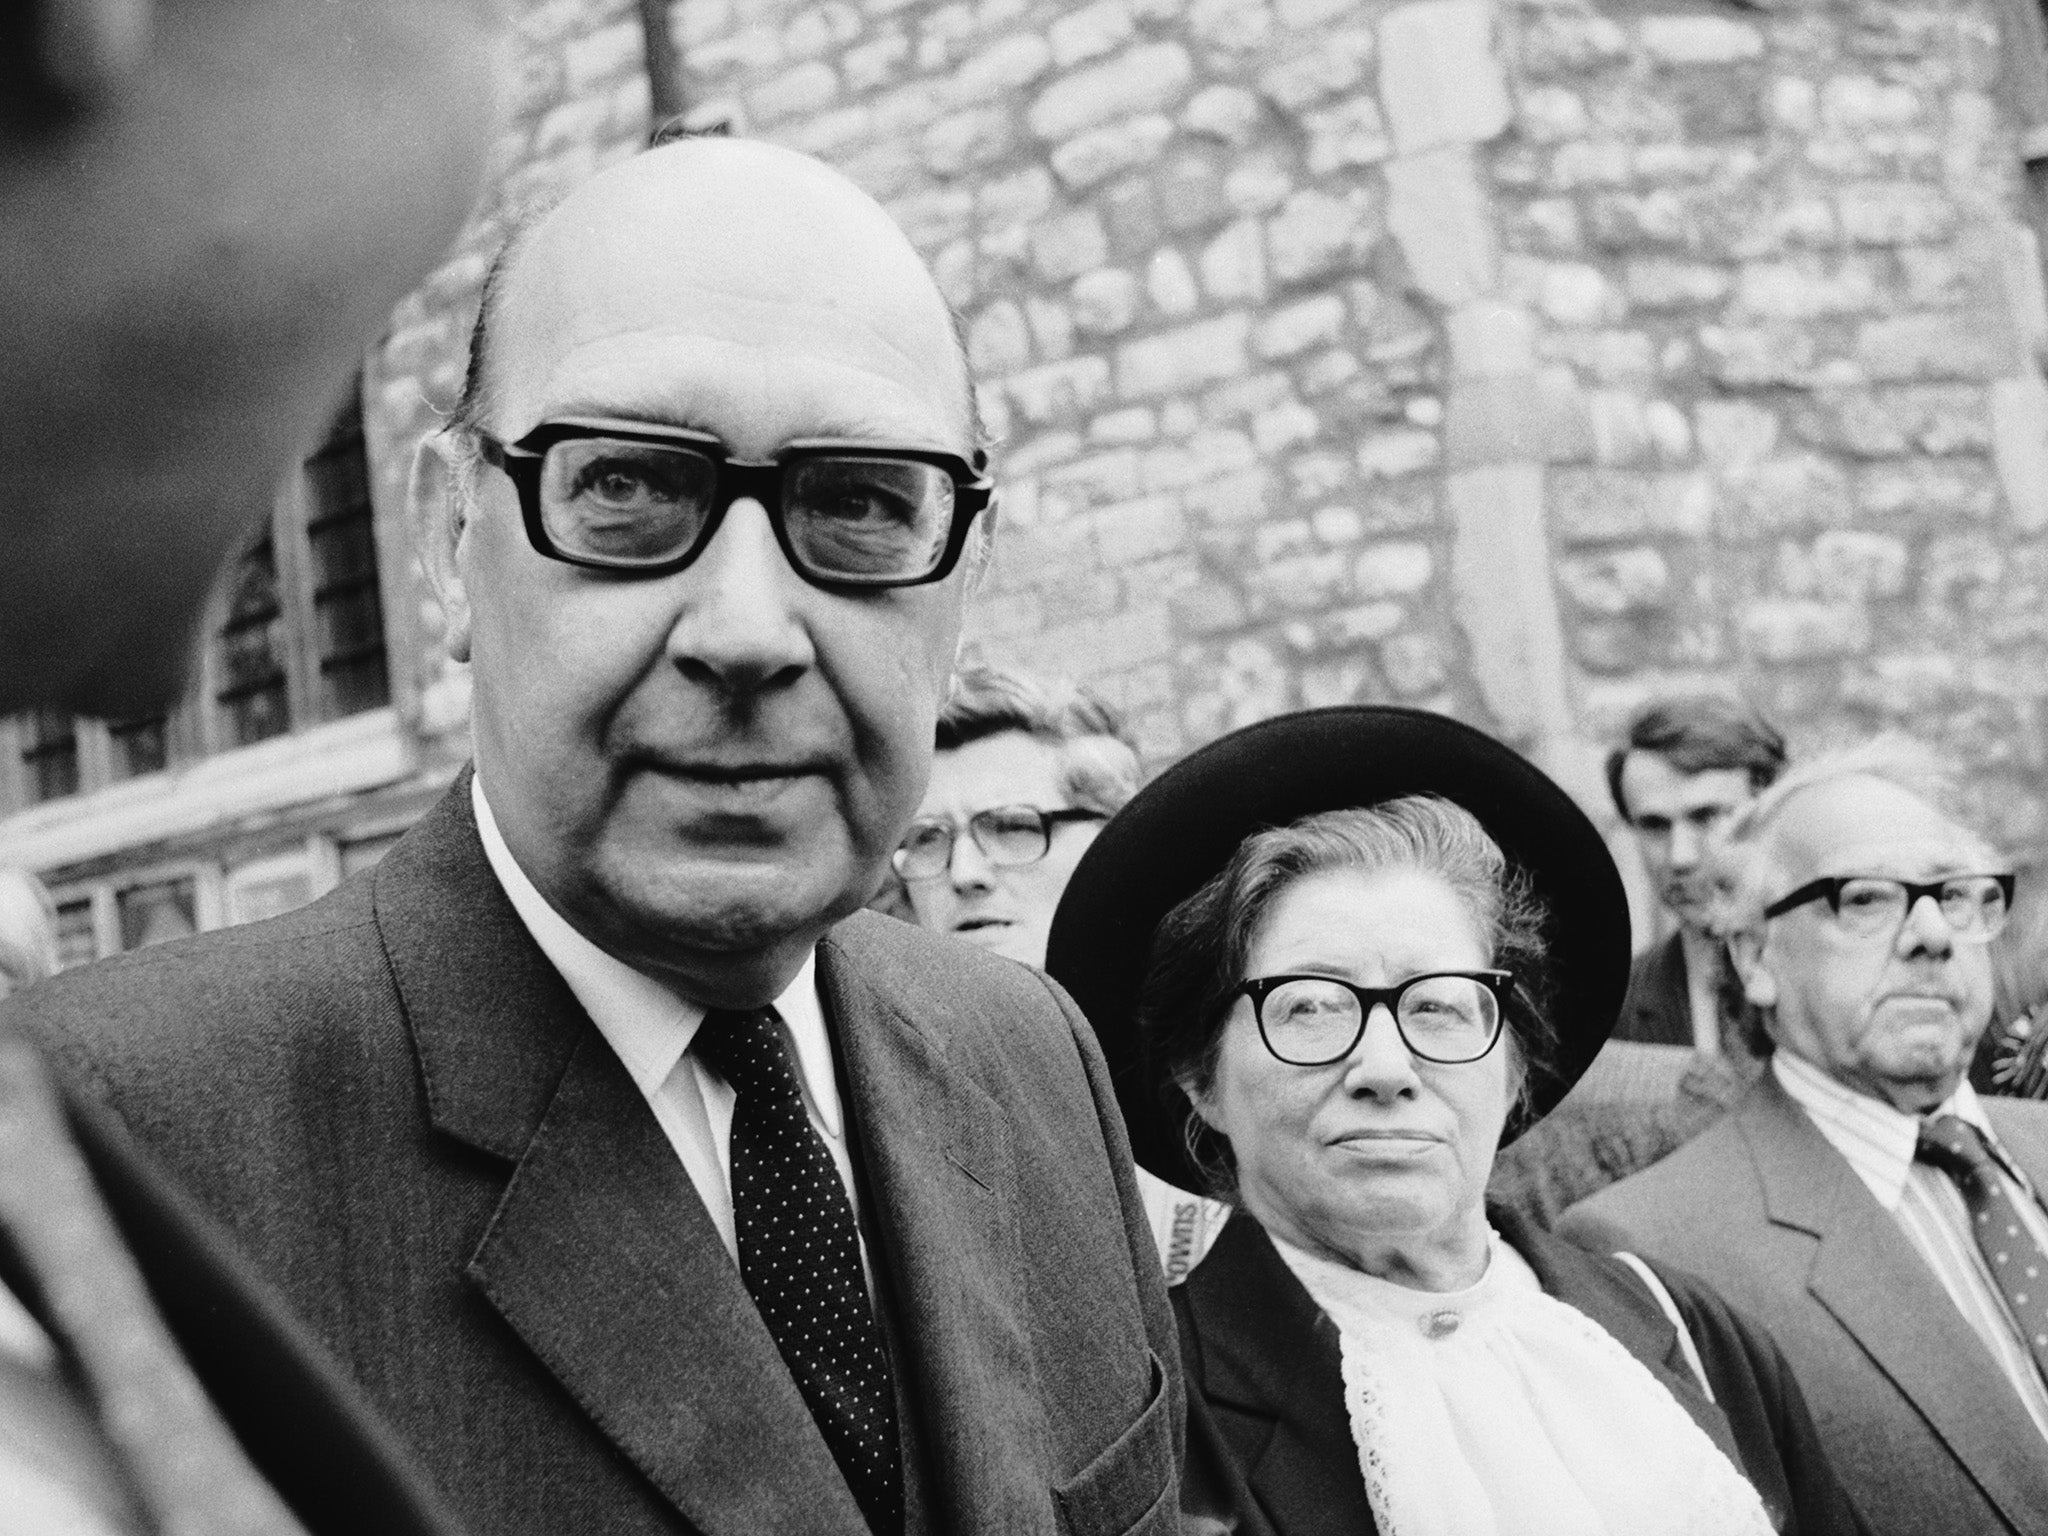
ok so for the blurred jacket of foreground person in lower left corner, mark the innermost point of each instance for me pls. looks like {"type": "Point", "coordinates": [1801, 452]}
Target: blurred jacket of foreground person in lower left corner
{"type": "Point", "coordinates": [191, 1398]}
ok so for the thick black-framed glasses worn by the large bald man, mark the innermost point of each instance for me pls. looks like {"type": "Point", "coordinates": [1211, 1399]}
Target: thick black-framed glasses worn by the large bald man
{"type": "Point", "coordinates": [646, 501]}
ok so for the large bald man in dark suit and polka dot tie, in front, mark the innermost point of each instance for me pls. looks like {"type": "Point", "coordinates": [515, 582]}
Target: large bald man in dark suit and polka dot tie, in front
{"type": "Point", "coordinates": [644, 1179]}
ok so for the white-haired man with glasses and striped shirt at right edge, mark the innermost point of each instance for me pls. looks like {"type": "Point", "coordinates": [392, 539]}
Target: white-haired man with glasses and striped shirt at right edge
{"type": "Point", "coordinates": [1863, 1201]}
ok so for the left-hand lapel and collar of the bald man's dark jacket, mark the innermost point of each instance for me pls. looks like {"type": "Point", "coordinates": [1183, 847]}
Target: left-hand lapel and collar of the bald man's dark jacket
{"type": "Point", "coordinates": [601, 1254]}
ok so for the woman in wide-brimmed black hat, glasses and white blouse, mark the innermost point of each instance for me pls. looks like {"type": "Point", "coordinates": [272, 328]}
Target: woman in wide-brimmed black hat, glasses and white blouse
{"type": "Point", "coordinates": [1379, 945]}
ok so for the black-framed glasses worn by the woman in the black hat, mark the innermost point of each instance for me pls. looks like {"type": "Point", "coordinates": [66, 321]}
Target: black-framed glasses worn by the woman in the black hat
{"type": "Point", "coordinates": [1445, 1017]}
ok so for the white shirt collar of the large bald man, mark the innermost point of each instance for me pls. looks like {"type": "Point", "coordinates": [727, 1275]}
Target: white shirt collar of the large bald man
{"type": "Point", "coordinates": [648, 1025]}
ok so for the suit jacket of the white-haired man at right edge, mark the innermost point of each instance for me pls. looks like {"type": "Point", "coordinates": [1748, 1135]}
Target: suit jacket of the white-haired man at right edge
{"type": "Point", "coordinates": [1914, 1412]}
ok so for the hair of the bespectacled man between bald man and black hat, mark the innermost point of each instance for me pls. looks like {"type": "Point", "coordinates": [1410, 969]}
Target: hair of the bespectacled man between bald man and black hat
{"type": "Point", "coordinates": [1099, 765]}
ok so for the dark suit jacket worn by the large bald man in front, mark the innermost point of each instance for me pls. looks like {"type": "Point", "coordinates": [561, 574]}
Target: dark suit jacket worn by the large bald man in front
{"type": "Point", "coordinates": [400, 1109]}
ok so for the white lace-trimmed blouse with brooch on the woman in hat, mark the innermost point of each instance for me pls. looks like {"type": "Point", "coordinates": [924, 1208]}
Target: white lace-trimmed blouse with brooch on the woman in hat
{"type": "Point", "coordinates": [1500, 1410]}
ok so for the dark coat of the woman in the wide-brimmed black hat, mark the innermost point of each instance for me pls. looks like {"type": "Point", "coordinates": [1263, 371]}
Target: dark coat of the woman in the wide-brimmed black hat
{"type": "Point", "coordinates": [1271, 1447]}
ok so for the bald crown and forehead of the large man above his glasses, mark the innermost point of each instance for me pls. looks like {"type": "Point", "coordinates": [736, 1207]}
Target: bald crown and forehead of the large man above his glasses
{"type": "Point", "coordinates": [746, 251]}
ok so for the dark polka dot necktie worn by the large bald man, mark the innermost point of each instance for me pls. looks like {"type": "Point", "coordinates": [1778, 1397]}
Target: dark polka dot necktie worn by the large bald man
{"type": "Point", "coordinates": [800, 1256]}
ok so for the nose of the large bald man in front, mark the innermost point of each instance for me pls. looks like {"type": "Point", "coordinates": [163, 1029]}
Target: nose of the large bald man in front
{"type": "Point", "coordinates": [740, 628]}
